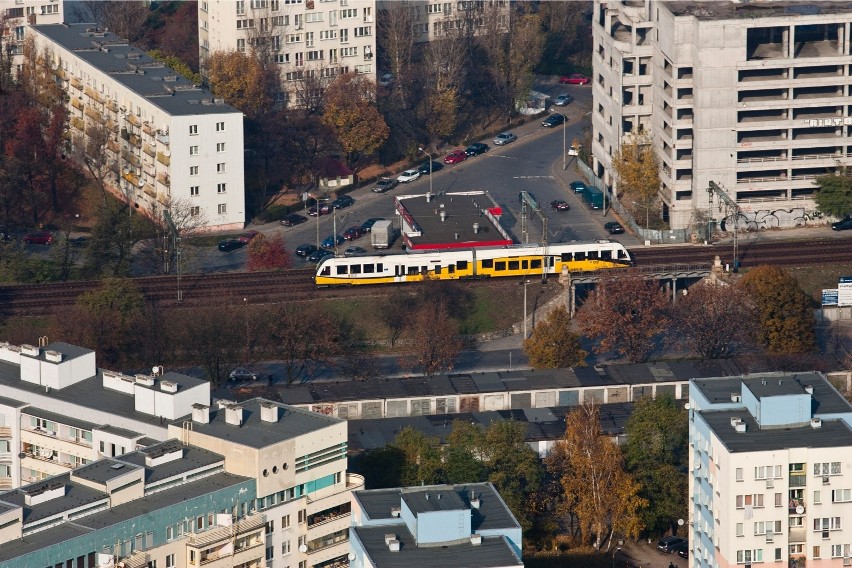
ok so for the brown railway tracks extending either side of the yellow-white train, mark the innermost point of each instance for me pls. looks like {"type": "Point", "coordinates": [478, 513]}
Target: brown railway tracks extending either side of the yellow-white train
{"type": "Point", "coordinates": [297, 284]}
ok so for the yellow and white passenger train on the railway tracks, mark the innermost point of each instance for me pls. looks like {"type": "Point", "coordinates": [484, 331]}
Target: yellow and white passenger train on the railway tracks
{"type": "Point", "coordinates": [485, 262]}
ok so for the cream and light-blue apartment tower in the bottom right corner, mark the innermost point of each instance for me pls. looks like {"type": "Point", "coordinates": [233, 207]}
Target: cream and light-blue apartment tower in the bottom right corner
{"type": "Point", "coordinates": [770, 474]}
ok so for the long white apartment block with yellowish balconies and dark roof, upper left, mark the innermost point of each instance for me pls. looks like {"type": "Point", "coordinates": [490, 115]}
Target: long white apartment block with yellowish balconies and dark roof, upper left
{"type": "Point", "coordinates": [173, 143]}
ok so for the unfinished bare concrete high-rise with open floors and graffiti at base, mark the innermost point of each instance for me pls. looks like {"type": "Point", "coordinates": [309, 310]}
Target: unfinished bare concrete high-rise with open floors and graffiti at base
{"type": "Point", "coordinates": [753, 96]}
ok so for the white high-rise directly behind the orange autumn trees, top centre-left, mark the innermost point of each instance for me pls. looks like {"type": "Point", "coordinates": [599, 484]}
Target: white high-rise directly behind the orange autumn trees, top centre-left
{"type": "Point", "coordinates": [309, 39]}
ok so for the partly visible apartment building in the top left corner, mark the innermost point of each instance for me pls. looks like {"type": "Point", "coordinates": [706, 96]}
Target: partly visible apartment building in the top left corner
{"type": "Point", "coordinates": [16, 15]}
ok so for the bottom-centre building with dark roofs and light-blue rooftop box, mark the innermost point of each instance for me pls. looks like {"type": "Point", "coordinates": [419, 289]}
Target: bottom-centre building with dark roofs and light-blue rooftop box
{"type": "Point", "coordinates": [438, 525]}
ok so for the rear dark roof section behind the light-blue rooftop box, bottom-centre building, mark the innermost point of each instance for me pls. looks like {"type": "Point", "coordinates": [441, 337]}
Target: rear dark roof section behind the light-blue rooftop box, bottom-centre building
{"type": "Point", "coordinates": [492, 512]}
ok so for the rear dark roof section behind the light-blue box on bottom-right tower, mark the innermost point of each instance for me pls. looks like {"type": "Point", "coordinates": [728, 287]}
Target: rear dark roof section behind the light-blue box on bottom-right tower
{"type": "Point", "coordinates": [826, 399]}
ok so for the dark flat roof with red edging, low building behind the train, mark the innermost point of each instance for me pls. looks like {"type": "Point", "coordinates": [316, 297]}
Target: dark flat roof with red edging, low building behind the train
{"type": "Point", "coordinates": [463, 210]}
